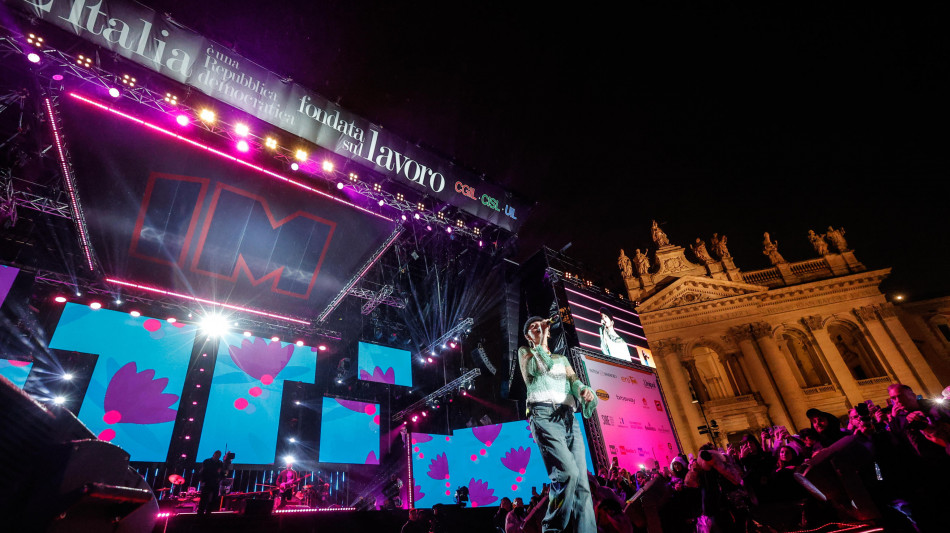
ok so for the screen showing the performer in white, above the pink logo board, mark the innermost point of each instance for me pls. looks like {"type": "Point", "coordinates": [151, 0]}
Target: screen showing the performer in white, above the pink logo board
{"type": "Point", "coordinates": [627, 342]}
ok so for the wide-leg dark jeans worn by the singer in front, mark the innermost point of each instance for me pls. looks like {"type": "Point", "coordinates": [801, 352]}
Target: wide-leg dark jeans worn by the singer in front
{"type": "Point", "coordinates": [559, 437]}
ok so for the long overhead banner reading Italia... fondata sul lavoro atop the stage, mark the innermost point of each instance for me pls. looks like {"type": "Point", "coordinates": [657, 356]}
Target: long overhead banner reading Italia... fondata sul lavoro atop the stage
{"type": "Point", "coordinates": [139, 34]}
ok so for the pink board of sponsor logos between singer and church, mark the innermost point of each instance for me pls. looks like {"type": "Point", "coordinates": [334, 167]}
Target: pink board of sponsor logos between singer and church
{"type": "Point", "coordinates": [633, 417]}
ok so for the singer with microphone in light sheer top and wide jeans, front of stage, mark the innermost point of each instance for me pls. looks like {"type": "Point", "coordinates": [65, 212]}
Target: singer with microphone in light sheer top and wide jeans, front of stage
{"type": "Point", "coordinates": [554, 392]}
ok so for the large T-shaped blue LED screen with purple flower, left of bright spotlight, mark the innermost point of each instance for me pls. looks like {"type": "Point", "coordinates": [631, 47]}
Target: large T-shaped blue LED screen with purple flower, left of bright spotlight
{"type": "Point", "coordinates": [133, 395]}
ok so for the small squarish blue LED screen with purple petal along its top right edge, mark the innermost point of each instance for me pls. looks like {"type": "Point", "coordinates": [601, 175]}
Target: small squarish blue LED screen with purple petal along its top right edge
{"type": "Point", "coordinates": [349, 432]}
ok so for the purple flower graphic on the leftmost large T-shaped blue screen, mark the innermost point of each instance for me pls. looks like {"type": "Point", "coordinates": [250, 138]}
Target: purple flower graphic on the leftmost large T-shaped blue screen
{"type": "Point", "coordinates": [134, 397]}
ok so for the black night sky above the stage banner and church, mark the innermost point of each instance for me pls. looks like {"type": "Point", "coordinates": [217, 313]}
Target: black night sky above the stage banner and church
{"type": "Point", "coordinates": [728, 119]}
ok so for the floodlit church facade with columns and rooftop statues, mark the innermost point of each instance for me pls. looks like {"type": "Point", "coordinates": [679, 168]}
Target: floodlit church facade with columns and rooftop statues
{"type": "Point", "coordinates": [755, 349]}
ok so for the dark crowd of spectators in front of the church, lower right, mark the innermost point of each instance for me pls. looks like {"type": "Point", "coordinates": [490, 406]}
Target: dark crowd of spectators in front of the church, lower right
{"type": "Point", "coordinates": [878, 464]}
